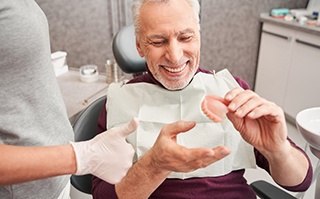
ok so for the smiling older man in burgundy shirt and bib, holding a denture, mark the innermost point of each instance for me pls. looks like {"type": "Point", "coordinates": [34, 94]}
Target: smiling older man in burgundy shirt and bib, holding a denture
{"type": "Point", "coordinates": [208, 159]}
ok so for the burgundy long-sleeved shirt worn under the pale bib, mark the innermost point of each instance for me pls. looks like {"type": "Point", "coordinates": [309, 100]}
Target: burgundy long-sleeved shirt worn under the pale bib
{"type": "Point", "coordinates": [232, 185]}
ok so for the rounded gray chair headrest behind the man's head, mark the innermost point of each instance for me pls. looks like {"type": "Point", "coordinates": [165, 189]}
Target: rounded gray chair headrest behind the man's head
{"type": "Point", "coordinates": [125, 52]}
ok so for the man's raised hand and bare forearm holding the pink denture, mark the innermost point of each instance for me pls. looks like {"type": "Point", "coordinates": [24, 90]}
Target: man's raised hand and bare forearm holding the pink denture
{"type": "Point", "coordinates": [262, 124]}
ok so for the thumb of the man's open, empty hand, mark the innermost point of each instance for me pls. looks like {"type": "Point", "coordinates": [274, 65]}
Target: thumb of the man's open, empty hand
{"type": "Point", "coordinates": [175, 128]}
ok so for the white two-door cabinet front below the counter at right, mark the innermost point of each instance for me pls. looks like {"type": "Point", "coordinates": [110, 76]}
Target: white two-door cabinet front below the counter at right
{"type": "Point", "coordinates": [289, 68]}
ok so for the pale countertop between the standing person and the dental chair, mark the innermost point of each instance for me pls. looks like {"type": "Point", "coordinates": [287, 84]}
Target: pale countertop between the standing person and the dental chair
{"type": "Point", "coordinates": [76, 94]}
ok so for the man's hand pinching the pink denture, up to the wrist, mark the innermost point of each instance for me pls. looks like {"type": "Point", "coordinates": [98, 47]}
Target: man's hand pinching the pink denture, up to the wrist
{"type": "Point", "coordinates": [260, 122]}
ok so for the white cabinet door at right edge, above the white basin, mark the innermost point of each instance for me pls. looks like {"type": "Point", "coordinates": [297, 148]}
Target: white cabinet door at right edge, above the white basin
{"type": "Point", "coordinates": [303, 86]}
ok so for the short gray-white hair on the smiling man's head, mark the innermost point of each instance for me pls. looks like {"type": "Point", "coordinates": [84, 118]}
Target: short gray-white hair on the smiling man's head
{"type": "Point", "coordinates": [137, 4]}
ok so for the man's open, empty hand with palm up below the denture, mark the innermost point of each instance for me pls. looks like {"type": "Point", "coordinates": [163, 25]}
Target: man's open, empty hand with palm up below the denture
{"type": "Point", "coordinates": [167, 155]}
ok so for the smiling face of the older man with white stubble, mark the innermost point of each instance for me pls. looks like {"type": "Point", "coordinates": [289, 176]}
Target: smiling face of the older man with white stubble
{"type": "Point", "coordinates": [170, 42]}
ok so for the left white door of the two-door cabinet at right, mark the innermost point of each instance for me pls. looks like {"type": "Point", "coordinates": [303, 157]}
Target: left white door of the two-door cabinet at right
{"type": "Point", "coordinates": [273, 63]}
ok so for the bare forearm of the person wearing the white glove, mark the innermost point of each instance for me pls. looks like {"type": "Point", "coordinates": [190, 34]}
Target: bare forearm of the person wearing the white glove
{"type": "Point", "coordinates": [20, 164]}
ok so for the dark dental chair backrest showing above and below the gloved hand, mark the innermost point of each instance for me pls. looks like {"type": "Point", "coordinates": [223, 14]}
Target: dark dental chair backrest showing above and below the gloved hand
{"type": "Point", "coordinates": [85, 128]}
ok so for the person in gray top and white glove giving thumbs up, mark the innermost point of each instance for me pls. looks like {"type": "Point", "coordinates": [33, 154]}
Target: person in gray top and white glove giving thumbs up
{"type": "Point", "coordinates": [36, 156]}
